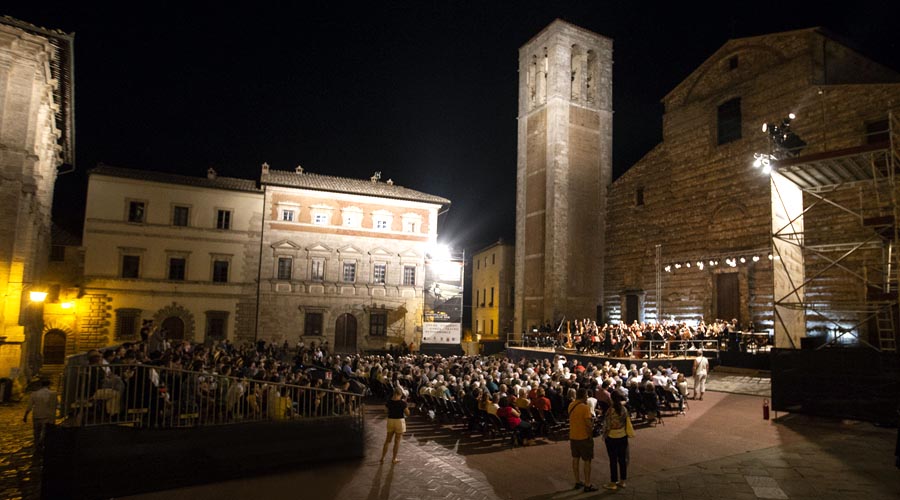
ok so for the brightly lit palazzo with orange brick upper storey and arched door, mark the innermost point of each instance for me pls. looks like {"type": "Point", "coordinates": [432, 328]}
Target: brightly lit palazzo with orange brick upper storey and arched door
{"type": "Point", "coordinates": [343, 260]}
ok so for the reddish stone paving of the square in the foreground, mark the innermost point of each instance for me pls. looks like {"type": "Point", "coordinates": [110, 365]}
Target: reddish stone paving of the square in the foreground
{"type": "Point", "coordinates": [722, 449]}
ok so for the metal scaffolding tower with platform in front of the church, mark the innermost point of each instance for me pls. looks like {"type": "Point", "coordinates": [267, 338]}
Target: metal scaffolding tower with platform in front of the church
{"type": "Point", "coordinates": [824, 179]}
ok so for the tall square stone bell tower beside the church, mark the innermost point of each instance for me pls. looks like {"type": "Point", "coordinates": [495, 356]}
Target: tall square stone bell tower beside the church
{"type": "Point", "coordinates": [564, 167]}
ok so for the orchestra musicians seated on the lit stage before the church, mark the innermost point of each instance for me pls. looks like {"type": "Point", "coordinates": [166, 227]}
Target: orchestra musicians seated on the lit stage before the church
{"type": "Point", "coordinates": [635, 340]}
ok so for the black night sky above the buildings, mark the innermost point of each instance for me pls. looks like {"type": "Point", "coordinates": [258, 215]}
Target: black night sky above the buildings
{"type": "Point", "coordinates": [425, 92]}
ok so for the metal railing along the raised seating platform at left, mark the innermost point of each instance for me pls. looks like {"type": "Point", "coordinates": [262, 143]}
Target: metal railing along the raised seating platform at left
{"type": "Point", "coordinates": [151, 396]}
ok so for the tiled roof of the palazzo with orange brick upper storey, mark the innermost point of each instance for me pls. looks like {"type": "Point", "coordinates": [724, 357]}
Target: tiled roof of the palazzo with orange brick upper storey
{"type": "Point", "coordinates": [334, 184]}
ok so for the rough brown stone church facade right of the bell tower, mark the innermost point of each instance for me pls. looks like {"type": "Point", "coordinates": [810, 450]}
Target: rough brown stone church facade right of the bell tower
{"type": "Point", "coordinates": [697, 195]}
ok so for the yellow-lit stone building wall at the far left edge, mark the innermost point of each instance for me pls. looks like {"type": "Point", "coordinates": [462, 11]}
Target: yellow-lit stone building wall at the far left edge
{"type": "Point", "coordinates": [35, 138]}
